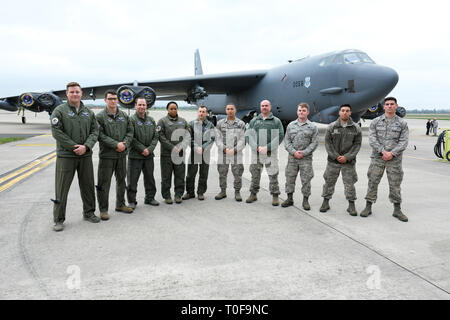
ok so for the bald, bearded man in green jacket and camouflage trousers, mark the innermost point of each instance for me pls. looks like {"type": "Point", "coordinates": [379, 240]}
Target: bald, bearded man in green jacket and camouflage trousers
{"type": "Point", "coordinates": [264, 135]}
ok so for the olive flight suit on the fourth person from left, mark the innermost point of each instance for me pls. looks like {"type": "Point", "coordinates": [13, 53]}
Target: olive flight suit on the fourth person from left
{"type": "Point", "coordinates": [173, 132]}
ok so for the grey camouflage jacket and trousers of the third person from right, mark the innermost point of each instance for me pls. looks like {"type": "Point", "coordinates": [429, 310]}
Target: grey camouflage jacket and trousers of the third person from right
{"type": "Point", "coordinates": [300, 137]}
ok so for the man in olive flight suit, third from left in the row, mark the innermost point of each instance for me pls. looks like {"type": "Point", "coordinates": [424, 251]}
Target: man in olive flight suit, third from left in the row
{"type": "Point", "coordinates": [140, 158]}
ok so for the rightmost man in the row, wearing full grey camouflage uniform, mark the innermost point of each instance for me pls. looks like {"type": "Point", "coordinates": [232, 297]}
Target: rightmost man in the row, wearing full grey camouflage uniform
{"type": "Point", "coordinates": [388, 137]}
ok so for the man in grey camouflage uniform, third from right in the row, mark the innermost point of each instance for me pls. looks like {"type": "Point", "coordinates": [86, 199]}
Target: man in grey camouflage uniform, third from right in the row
{"type": "Point", "coordinates": [300, 141]}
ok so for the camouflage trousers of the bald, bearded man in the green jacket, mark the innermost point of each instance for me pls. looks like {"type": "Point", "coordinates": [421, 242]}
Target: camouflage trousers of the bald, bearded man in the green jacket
{"type": "Point", "coordinates": [271, 164]}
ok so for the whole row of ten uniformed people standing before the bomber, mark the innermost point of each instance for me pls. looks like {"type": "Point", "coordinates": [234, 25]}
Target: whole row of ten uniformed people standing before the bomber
{"type": "Point", "coordinates": [127, 146]}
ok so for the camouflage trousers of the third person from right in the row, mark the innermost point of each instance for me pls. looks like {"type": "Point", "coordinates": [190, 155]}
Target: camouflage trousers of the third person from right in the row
{"type": "Point", "coordinates": [306, 174]}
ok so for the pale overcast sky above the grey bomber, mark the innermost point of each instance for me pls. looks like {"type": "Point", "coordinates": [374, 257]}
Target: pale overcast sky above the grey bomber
{"type": "Point", "coordinates": [46, 43]}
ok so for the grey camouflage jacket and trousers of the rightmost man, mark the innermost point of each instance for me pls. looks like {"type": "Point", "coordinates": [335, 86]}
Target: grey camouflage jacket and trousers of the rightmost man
{"type": "Point", "coordinates": [390, 135]}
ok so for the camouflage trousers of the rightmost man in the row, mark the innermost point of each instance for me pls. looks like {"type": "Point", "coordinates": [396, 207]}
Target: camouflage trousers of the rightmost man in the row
{"type": "Point", "coordinates": [394, 173]}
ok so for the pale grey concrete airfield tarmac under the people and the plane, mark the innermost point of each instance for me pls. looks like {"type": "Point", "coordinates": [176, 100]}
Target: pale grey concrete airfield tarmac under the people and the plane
{"type": "Point", "coordinates": [224, 249]}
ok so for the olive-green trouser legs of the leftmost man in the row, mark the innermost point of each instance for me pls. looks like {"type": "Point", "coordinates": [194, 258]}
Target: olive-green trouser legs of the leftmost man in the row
{"type": "Point", "coordinates": [64, 173]}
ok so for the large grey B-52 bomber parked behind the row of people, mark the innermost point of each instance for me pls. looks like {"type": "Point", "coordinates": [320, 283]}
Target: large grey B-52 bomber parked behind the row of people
{"type": "Point", "coordinates": [324, 81]}
